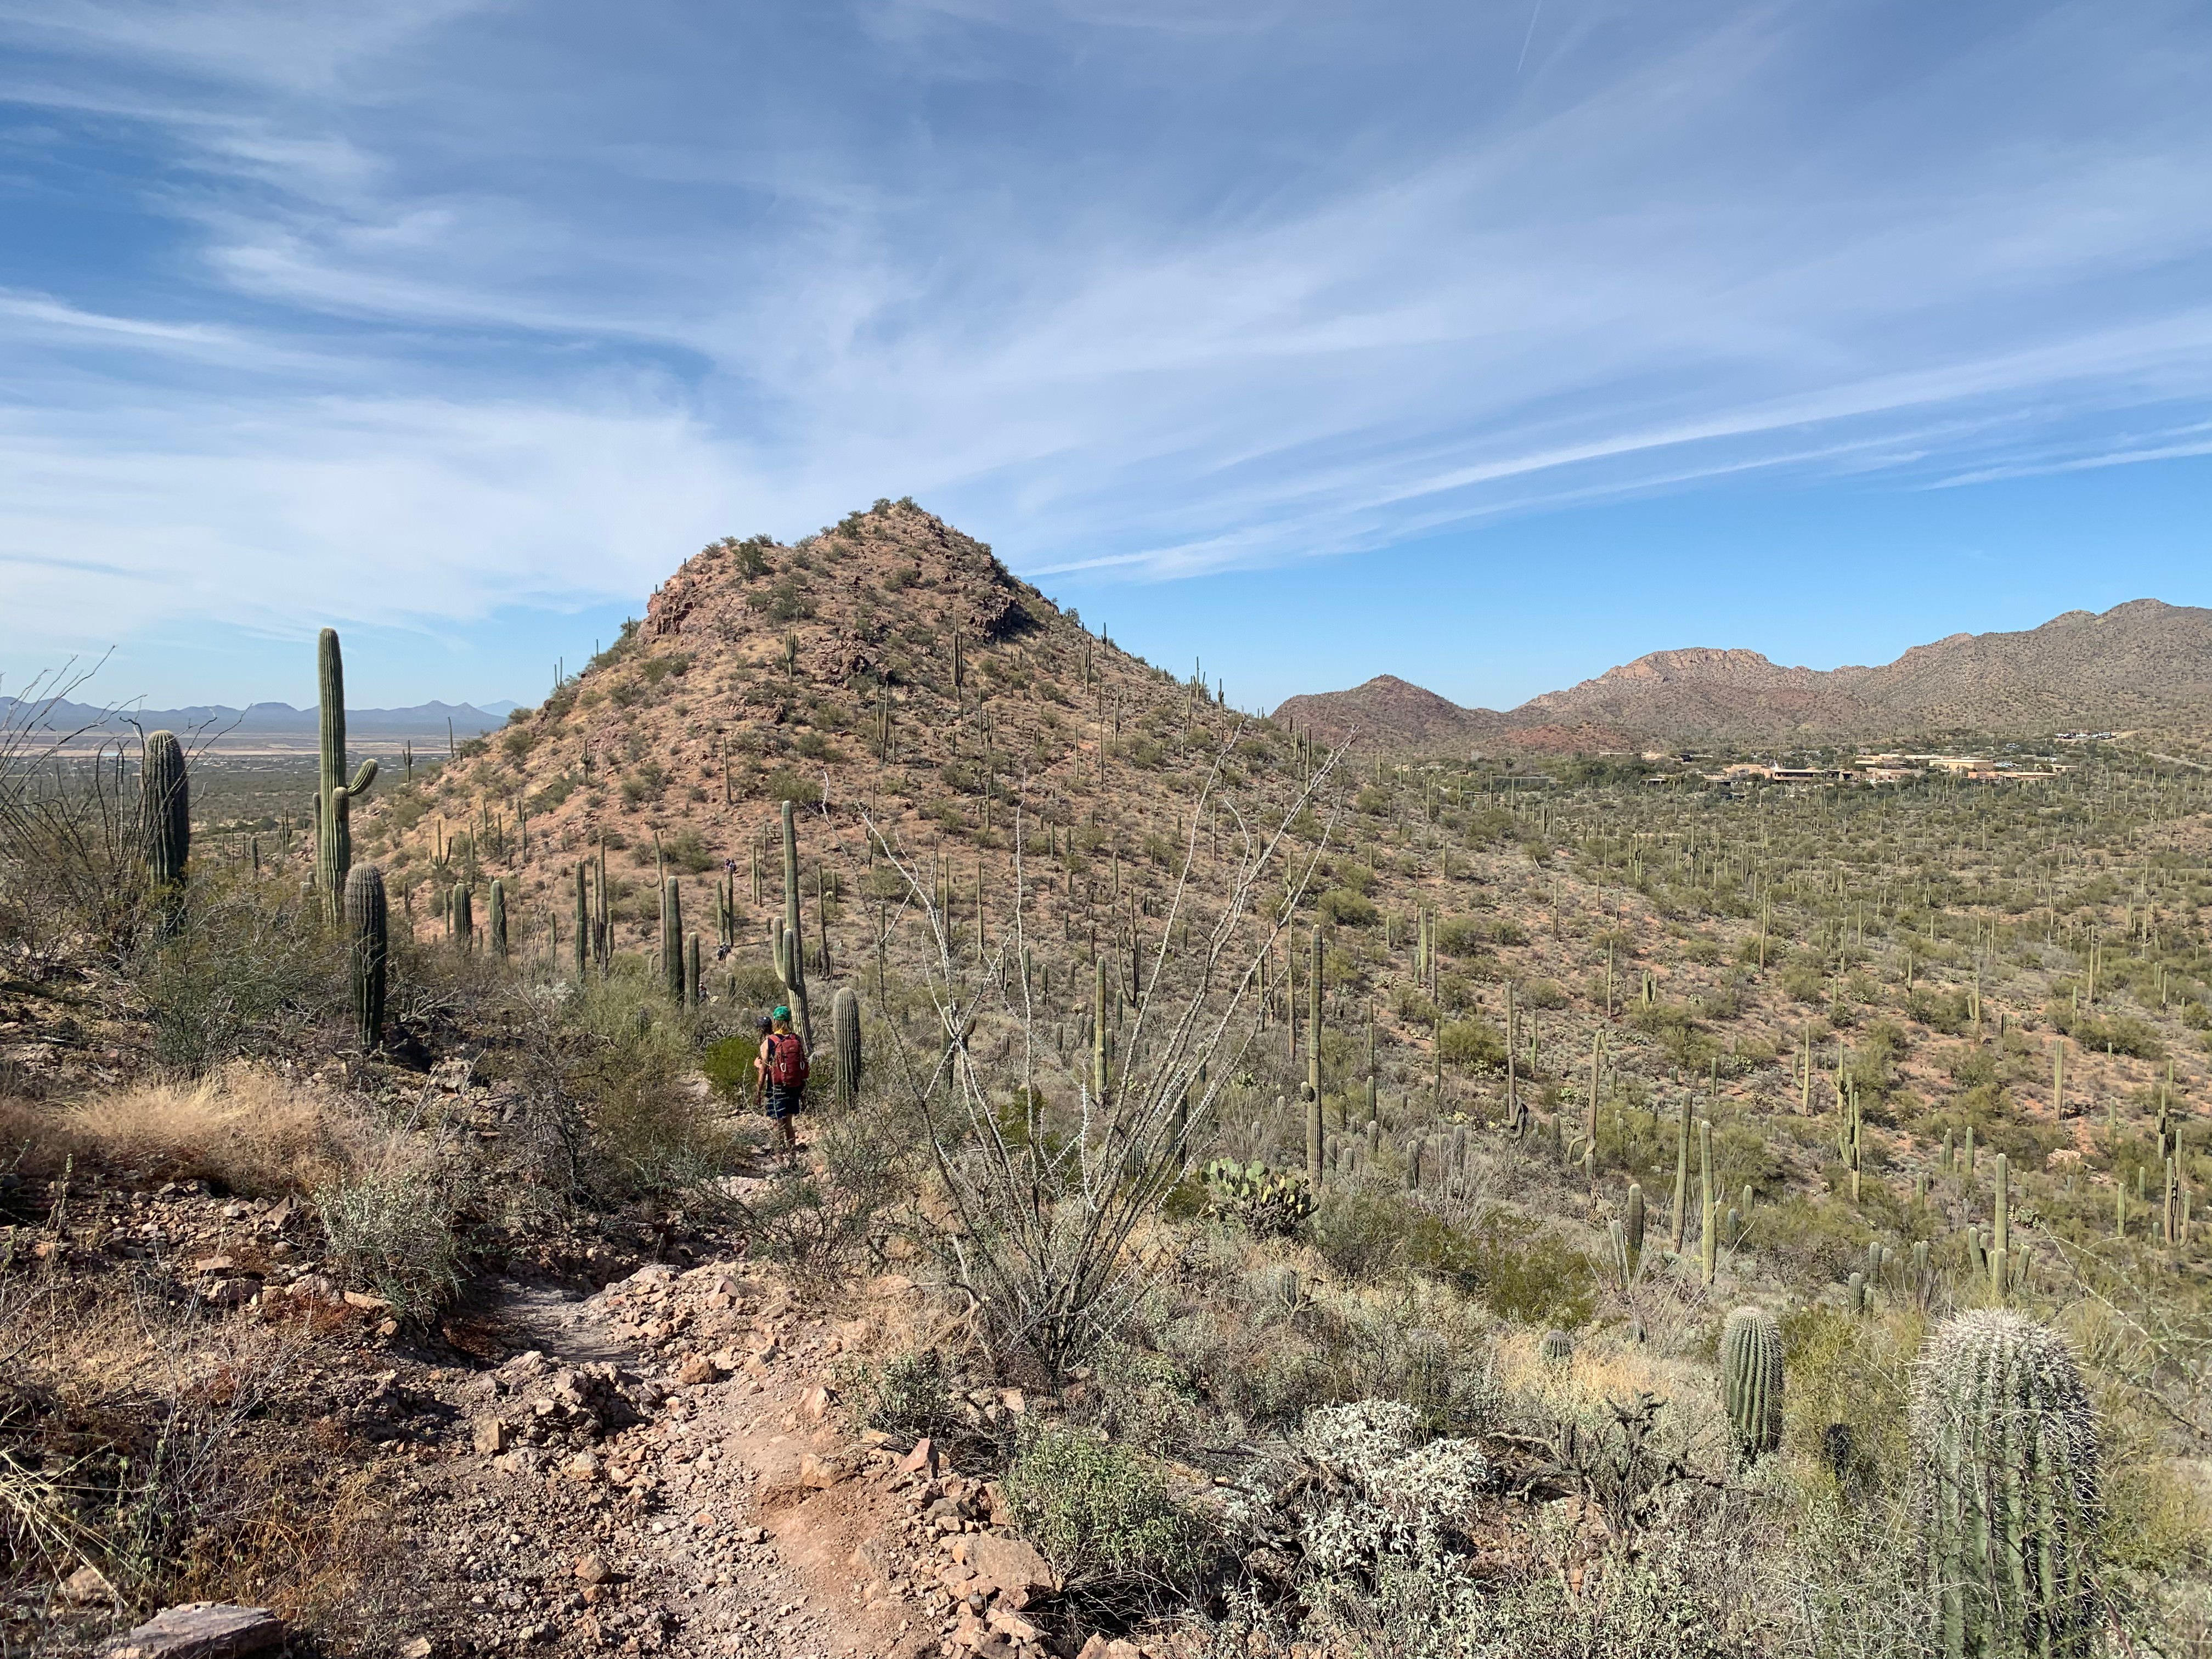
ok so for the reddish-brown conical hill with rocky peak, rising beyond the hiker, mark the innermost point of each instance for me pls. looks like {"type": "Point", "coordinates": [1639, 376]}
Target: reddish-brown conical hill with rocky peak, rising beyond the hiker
{"type": "Point", "coordinates": [893, 678]}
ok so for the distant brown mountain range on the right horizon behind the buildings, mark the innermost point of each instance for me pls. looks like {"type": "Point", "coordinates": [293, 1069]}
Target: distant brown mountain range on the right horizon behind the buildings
{"type": "Point", "coordinates": [2138, 665]}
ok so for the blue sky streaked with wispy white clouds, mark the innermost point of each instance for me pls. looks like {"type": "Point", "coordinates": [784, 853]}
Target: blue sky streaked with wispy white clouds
{"type": "Point", "coordinates": [1481, 344]}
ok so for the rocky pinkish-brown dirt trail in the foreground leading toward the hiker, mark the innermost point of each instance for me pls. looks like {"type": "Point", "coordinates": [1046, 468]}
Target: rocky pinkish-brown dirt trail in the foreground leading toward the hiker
{"type": "Point", "coordinates": [660, 1472]}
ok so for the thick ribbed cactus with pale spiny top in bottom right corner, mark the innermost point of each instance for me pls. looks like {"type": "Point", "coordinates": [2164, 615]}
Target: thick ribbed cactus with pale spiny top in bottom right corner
{"type": "Point", "coordinates": [2005, 1488]}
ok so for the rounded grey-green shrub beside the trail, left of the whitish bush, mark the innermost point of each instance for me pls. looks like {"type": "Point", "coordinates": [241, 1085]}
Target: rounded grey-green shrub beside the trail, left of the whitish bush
{"type": "Point", "coordinates": [1100, 1514]}
